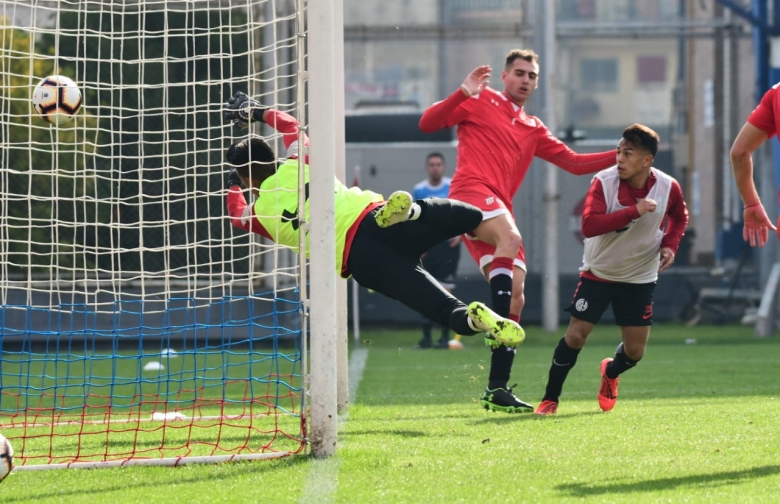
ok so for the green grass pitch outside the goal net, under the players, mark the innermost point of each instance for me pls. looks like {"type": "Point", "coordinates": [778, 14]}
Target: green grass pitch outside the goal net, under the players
{"type": "Point", "coordinates": [693, 423]}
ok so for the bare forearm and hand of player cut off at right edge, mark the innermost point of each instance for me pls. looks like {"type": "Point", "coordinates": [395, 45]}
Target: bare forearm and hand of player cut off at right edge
{"type": "Point", "coordinates": [756, 222]}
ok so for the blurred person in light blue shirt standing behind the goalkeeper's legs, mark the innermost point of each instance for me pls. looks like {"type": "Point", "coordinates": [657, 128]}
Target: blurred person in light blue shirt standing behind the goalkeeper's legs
{"type": "Point", "coordinates": [441, 261]}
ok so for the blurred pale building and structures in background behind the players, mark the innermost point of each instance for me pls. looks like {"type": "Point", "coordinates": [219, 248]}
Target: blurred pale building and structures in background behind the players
{"type": "Point", "coordinates": [687, 68]}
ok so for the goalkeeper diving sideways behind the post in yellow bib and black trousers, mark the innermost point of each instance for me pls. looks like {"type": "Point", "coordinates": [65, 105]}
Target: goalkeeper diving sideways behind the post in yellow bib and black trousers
{"type": "Point", "coordinates": [378, 242]}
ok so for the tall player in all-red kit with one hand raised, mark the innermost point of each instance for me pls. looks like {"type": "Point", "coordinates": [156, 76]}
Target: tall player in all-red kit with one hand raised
{"type": "Point", "coordinates": [497, 142]}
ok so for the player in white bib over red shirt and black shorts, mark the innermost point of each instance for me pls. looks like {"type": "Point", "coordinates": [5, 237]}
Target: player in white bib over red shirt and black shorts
{"type": "Point", "coordinates": [633, 220]}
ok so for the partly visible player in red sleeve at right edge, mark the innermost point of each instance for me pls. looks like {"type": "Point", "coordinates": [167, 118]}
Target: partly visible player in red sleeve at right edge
{"type": "Point", "coordinates": [762, 124]}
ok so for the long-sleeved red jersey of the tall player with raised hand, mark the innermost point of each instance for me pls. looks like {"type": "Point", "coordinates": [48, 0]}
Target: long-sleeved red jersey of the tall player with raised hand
{"type": "Point", "coordinates": [497, 142]}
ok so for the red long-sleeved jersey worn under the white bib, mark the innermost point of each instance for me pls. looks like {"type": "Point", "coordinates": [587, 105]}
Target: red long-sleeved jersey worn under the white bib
{"type": "Point", "coordinates": [596, 221]}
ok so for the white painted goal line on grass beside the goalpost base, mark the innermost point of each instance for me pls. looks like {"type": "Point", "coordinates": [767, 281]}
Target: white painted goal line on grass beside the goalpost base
{"type": "Point", "coordinates": [322, 480]}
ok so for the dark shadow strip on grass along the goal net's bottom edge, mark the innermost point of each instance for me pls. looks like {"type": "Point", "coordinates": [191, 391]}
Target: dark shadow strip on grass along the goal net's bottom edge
{"type": "Point", "coordinates": [93, 494]}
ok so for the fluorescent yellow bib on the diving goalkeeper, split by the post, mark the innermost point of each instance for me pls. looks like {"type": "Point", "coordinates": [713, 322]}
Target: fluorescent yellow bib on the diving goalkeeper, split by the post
{"type": "Point", "coordinates": [276, 208]}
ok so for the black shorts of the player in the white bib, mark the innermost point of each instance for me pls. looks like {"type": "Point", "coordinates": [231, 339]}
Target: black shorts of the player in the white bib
{"type": "Point", "coordinates": [632, 304]}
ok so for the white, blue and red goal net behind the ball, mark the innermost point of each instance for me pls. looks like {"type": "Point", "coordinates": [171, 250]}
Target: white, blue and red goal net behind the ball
{"type": "Point", "coordinates": [136, 324]}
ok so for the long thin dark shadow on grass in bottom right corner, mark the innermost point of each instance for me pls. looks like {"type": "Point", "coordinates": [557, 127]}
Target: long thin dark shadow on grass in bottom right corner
{"type": "Point", "coordinates": [710, 480]}
